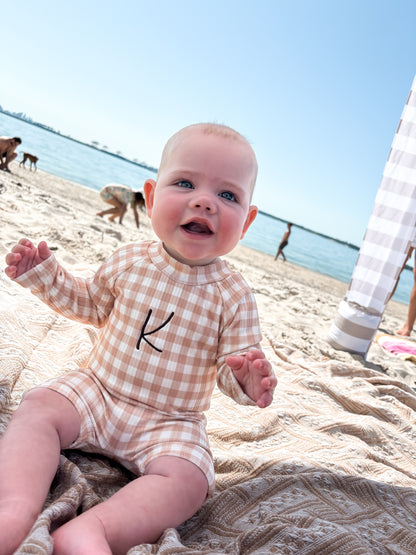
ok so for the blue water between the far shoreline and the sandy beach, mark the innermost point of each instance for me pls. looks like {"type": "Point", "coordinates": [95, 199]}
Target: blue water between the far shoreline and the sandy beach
{"type": "Point", "coordinates": [94, 168]}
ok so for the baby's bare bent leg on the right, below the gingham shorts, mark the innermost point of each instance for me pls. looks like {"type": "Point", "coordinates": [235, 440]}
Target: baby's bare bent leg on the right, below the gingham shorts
{"type": "Point", "coordinates": [170, 492]}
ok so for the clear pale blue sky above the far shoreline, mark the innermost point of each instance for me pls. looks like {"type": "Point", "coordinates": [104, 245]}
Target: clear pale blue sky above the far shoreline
{"type": "Point", "coordinates": [317, 86]}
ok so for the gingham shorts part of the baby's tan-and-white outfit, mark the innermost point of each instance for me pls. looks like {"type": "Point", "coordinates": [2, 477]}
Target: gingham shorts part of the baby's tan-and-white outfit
{"type": "Point", "coordinates": [133, 435]}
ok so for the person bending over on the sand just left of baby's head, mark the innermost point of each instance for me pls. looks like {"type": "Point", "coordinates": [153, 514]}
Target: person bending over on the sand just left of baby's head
{"type": "Point", "coordinates": [120, 196]}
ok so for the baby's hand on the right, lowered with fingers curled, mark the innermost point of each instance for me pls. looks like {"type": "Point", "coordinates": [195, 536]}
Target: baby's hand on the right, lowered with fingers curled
{"type": "Point", "coordinates": [254, 374]}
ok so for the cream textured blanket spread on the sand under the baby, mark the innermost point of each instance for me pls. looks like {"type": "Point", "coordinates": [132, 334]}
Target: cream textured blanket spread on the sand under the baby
{"type": "Point", "coordinates": [328, 468]}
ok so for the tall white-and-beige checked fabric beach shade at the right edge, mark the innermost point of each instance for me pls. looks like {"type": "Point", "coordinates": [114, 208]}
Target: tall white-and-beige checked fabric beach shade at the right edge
{"type": "Point", "coordinates": [386, 243]}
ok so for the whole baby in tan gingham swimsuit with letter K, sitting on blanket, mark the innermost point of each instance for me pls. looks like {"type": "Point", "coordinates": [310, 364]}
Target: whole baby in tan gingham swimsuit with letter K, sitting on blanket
{"type": "Point", "coordinates": [175, 320]}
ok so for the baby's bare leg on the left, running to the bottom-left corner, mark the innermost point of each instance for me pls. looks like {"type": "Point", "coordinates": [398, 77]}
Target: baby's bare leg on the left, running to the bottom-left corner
{"type": "Point", "coordinates": [44, 423]}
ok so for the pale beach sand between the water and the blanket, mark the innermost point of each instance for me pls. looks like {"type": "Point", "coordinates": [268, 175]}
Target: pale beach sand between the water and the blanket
{"type": "Point", "coordinates": [296, 305]}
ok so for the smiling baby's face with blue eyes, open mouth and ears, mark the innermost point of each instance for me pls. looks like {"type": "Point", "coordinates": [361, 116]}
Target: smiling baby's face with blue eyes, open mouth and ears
{"type": "Point", "coordinates": [200, 205]}
